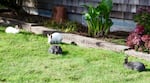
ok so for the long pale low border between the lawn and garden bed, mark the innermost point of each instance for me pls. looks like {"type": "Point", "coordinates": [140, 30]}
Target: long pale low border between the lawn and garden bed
{"type": "Point", "coordinates": [80, 40]}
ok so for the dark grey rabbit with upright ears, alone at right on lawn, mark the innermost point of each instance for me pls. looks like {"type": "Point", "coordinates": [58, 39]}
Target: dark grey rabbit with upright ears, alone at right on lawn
{"type": "Point", "coordinates": [138, 66]}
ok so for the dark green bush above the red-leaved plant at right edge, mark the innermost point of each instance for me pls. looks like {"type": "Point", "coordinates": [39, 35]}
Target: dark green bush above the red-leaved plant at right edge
{"type": "Point", "coordinates": [142, 17]}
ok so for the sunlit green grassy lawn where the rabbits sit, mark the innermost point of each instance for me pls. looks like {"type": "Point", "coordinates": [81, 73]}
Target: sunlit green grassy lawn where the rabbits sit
{"type": "Point", "coordinates": [24, 58]}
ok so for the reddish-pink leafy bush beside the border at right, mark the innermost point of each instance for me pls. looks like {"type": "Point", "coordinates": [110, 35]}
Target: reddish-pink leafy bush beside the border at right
{"type": "Point", "coordinates": [136, 40]}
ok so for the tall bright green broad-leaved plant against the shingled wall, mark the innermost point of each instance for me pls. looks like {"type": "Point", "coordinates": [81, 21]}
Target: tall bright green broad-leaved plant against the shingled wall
{"type": "Point", "coordinates": [98, 19]}
